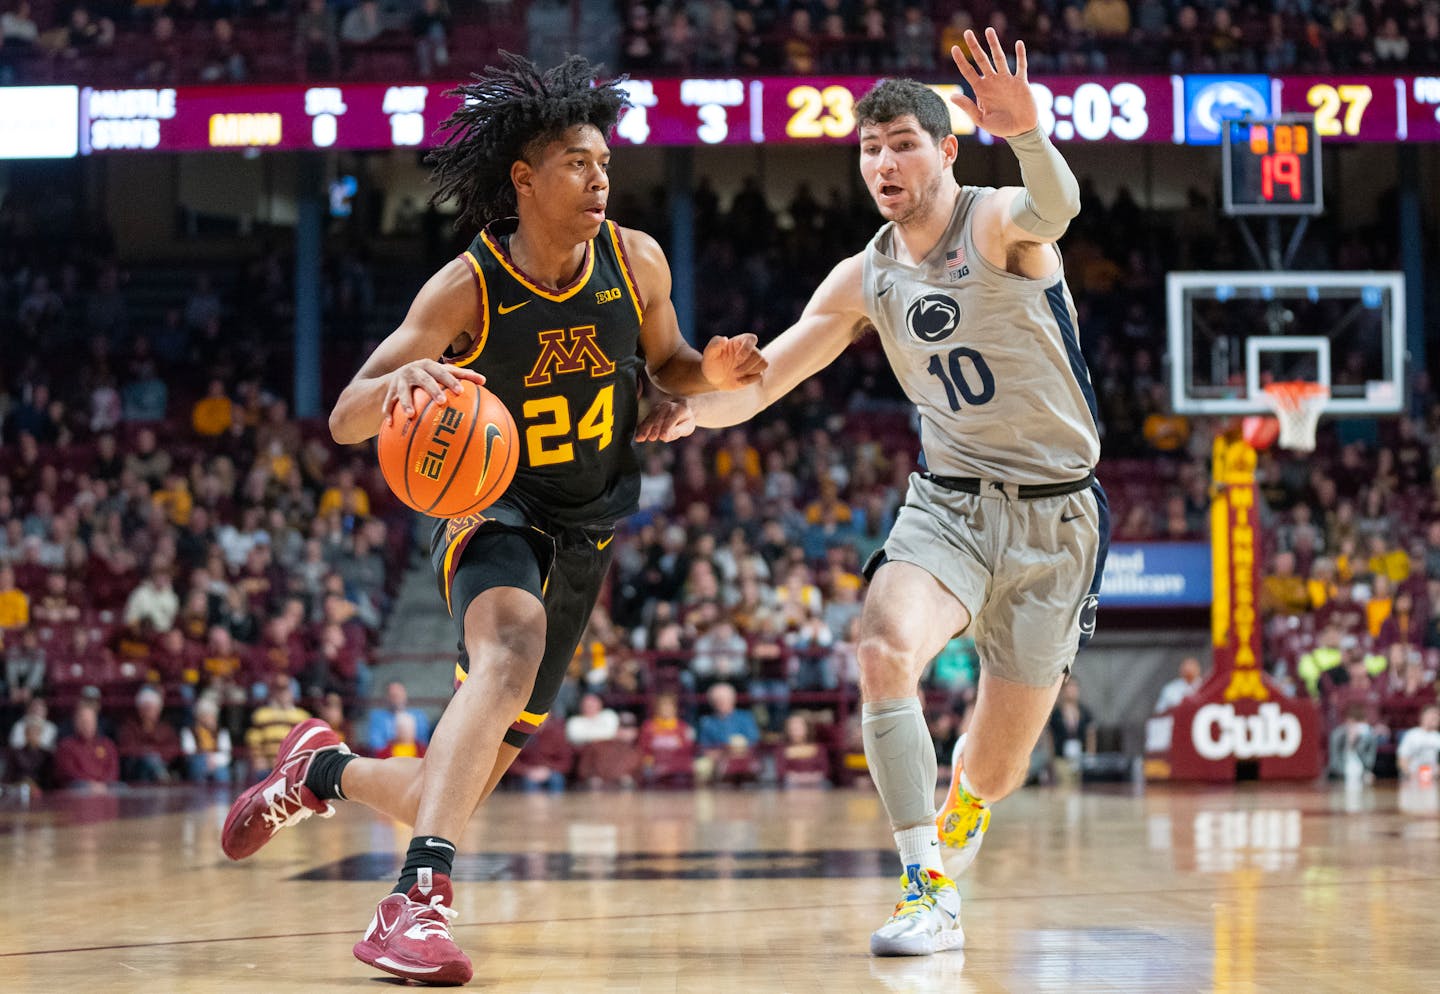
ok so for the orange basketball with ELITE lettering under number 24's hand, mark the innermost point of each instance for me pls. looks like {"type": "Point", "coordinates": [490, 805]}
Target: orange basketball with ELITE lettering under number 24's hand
{"type": "Point", "coordinates": [451, 459]}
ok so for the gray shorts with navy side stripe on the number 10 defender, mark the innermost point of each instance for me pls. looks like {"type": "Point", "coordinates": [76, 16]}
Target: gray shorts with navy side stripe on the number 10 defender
{"type": "Point", "coordinates": [1027, 571]}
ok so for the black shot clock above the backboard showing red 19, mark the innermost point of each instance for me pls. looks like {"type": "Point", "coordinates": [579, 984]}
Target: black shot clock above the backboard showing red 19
{"type": "Point", "coordinates": [1272, 166]}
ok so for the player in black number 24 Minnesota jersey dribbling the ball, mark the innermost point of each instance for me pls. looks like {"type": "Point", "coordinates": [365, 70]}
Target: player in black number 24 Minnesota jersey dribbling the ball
{"type": "Point", "coordinates": [557, 310]}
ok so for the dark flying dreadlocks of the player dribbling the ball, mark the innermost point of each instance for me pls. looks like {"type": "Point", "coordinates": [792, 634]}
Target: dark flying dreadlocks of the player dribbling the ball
{"type": "Point", "coordinates": [508, 113]}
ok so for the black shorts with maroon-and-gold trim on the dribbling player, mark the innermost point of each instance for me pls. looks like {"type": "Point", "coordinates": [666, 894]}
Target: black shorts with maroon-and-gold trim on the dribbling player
{"type": "Point", "coordinates": [562, 568]}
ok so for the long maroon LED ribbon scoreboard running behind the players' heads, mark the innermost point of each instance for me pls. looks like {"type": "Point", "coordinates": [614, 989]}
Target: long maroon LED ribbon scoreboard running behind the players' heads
{"type": "Point", "coordinates": [61, 122]}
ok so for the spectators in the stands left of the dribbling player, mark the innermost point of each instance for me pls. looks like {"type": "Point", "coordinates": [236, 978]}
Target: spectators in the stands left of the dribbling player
{"type": "Point", "coordinates": [174, 544]}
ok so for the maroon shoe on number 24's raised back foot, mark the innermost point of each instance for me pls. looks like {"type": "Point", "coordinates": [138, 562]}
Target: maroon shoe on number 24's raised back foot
{"type": "Point", "coordinates": [282, 800]}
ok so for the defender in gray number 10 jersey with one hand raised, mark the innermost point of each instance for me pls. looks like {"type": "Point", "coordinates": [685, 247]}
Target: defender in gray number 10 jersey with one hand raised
{"type": "Point", "coordinates": [1006, 532]}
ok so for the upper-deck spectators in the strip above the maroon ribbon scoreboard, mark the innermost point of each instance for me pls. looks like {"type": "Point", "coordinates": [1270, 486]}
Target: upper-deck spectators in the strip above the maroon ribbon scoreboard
{"type": "Point", "coordinates": [231, 41]}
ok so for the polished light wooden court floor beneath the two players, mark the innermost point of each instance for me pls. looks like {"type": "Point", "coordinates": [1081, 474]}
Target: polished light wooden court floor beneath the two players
{"type": "Point", "coordinates": [1170, 890]}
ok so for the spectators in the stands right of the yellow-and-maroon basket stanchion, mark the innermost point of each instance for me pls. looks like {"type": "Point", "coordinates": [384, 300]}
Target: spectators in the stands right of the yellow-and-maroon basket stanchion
{"type": "Point", "coordinates": [1353, 587]}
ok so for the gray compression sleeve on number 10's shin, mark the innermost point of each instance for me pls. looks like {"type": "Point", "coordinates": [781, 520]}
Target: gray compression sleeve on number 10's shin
{"type": "Point", "coordinates": [902, 760]}
